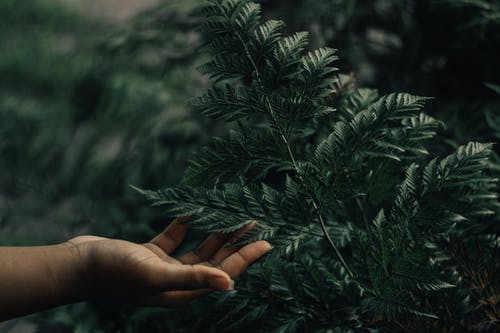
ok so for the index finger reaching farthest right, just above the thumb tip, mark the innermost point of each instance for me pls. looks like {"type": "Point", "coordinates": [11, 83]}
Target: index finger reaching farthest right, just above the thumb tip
{"type": "Point", "coordinates": [236, 263]}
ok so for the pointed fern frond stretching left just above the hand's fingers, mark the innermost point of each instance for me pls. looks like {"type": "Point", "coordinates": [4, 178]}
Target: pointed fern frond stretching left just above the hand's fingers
{"type": "Point", "coordinates": [282, 220]}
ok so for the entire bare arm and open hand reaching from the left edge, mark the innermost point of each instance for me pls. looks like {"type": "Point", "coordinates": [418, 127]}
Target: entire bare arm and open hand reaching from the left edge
{"type": "Point", "coordinates": [89, 267]}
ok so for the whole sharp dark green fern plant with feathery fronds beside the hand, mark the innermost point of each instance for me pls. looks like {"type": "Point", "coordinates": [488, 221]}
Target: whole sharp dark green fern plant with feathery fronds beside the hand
{"type": "Point", "coordinates": [358, 214]}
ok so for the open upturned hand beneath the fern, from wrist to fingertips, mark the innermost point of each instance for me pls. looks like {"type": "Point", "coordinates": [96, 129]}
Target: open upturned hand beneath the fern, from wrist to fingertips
{"type": "Point", "coordinates": [146, 274]}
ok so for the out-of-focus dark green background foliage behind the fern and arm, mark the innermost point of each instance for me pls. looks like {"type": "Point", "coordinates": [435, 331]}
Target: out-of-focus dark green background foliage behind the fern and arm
{"type": "Point", "coordinates": [90, 104]}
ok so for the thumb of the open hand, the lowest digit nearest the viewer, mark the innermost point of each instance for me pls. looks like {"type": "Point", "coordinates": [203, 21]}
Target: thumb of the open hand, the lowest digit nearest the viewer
{"type": "Point", "coordinates": [189, 277]}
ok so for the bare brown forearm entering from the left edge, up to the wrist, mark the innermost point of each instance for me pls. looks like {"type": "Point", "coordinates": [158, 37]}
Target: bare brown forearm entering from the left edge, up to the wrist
{"type": "Point", "coordinates": [37, 278]}
